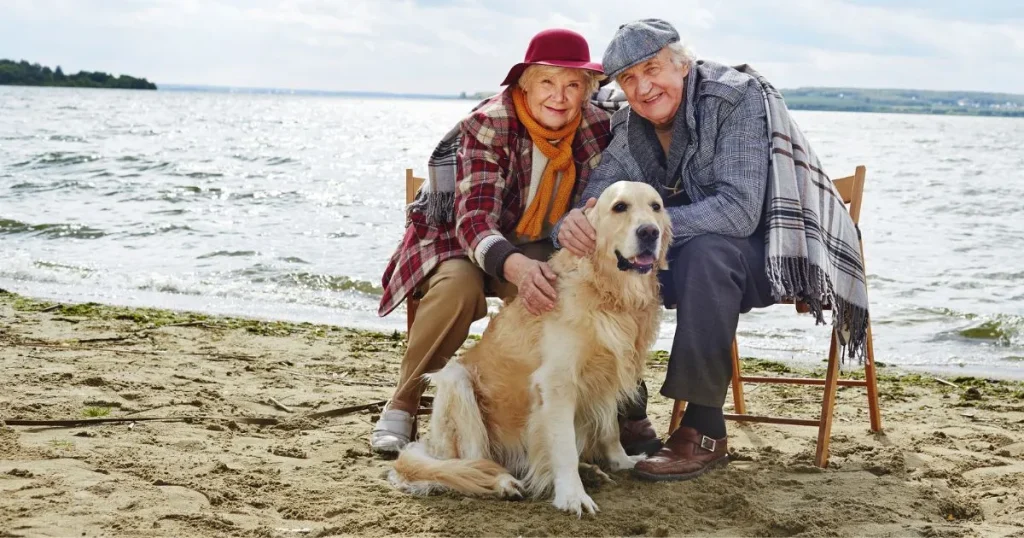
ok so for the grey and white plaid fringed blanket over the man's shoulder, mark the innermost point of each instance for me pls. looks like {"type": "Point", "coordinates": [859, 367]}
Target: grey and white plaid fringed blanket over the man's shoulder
{"type": "Point", "coordinates": [814, 247]}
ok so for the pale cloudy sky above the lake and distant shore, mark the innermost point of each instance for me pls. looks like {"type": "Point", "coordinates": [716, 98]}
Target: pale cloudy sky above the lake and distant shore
{"type": "Point", "coordinates": [449, 47]}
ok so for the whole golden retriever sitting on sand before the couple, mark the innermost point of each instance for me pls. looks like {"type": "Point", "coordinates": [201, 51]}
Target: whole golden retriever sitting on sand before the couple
{"type": "Point", "coordinates": [520, 412]}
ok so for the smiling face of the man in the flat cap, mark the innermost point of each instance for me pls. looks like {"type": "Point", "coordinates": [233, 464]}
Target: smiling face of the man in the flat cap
{"type": "Point", "coordinates": [656, 88]}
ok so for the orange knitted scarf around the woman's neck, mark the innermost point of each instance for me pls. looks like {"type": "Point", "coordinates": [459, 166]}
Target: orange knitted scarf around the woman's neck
{"type": "Point", "coordinates": [560, 160]}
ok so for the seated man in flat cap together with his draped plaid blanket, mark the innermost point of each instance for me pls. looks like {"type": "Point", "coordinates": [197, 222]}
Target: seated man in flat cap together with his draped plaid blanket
{"type": "Point", "coordinates": [699, 132]}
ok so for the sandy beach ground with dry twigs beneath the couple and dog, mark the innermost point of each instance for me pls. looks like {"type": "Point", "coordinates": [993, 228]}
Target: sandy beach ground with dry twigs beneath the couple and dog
{"type": "Point", "coordinates": [255, 459]}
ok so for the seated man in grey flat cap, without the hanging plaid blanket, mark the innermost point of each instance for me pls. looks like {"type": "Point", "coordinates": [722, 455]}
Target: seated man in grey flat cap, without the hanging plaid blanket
{"type": "Point", "coordinates": [697, 132]}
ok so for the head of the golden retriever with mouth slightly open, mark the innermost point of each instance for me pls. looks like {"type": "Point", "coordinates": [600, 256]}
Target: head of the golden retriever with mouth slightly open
{"type": "Point", "coordinates": [633, 228]}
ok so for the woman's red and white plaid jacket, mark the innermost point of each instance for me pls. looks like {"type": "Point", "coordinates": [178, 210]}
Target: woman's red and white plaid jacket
{"type": "Point", "coordinates": [495, 172]}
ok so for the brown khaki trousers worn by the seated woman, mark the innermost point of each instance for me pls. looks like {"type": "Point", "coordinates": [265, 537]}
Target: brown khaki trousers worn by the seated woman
{"type": "Point", "coordinates": [453, 297]}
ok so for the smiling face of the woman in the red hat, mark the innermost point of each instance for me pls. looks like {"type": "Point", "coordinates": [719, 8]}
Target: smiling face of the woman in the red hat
{"type": "Point", "coordinates": [556, 97]}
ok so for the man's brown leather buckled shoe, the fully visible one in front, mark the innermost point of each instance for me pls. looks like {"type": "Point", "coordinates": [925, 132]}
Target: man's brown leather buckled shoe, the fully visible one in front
{"type": "Point", "coordinates": [687, 456]}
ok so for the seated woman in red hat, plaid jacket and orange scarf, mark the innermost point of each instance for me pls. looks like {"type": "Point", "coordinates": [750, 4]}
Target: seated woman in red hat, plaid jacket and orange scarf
{"type": "Point", "coordinates": [499, 182]}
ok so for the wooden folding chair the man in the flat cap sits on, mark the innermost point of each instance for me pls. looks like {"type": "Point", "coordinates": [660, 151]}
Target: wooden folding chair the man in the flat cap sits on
{"type": "Point", "coordinates": [851, 189]}
